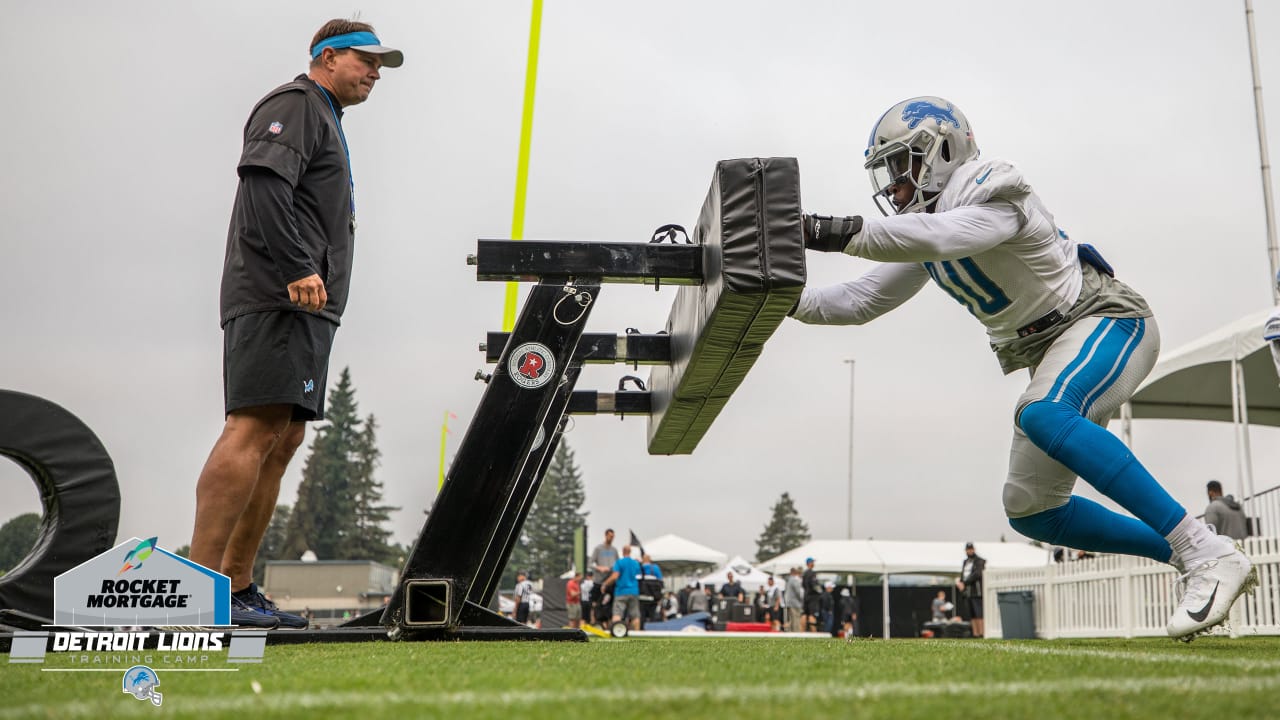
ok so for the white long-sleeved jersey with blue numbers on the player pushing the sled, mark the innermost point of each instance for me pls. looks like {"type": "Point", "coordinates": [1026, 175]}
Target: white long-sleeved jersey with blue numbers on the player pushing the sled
{"type": "Point", "coordinates": [990, 244]}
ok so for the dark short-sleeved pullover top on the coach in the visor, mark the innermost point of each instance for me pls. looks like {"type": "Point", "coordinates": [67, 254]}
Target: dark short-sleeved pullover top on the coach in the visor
{"type": "Point", "coordinates": [294, 213]}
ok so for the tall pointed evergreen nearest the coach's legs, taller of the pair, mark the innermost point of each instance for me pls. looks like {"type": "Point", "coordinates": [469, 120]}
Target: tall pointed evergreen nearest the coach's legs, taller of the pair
{"type": "Point", "coordinates": [323, 514]}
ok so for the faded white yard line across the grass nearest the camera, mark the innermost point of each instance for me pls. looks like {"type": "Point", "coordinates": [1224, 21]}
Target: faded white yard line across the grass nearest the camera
{"type": "Point", "coordinates": [516, 700]}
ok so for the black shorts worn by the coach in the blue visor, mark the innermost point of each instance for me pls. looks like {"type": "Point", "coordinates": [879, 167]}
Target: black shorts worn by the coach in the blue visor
{"type": "Point", "coordinates": [277, 358]}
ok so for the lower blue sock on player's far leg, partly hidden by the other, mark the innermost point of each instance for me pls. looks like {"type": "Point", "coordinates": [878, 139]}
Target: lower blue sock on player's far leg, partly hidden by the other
{"type": "Point", "coordinates": [1085, 525]}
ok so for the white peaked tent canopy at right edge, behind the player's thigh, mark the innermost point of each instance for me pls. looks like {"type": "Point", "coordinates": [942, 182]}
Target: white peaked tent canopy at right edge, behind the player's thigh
{"type": "Point", "coordinates": [1195, 381]}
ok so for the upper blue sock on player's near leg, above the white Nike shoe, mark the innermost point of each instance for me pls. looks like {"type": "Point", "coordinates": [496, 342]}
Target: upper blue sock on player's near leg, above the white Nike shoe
{"type": "Point", "coordinates": [1101, 461]}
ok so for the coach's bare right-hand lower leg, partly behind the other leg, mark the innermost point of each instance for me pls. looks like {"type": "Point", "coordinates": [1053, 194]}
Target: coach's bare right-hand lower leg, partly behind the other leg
{"type": "Point", "coordinates": [245, 540]}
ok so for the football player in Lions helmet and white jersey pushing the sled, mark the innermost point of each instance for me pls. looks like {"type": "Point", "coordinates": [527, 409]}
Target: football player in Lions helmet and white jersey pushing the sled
{"type": "Point", "coordinates": [977, 230]}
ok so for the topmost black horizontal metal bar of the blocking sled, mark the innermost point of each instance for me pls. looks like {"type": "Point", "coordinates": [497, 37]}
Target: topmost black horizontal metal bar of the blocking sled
{"type": "Point", "coordinates": [531, 261]}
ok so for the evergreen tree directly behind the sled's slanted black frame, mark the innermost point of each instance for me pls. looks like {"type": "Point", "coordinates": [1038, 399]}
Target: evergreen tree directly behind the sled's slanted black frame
{"type": "Point", "coordinates": [546, 546]}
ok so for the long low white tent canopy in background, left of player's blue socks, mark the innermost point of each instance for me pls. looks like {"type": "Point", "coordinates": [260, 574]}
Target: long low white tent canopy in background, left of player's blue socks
{"type": "Point", "coordinates": [888, 558]}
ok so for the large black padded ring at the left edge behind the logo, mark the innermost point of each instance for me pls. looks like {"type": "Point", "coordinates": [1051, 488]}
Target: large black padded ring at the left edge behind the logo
{"type": "Point", "coordinates": [79, 490]}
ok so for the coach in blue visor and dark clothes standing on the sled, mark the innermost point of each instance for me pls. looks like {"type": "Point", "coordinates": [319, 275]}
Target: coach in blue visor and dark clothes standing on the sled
{"type": "Point", "coordinates": [285, 288]}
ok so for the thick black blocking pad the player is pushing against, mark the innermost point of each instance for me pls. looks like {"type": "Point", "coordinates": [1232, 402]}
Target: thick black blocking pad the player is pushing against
{"type": "Point", "coordinates": [753, 259]}
